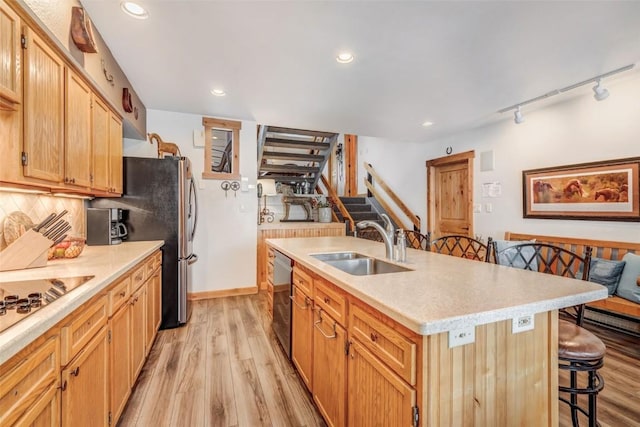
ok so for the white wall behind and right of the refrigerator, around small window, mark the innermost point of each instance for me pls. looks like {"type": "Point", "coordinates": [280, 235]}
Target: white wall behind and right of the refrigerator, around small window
{"type": "Point", "coordinates": [225, 239]}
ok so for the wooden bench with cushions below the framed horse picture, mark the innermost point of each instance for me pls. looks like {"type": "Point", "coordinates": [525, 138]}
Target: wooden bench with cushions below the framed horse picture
{"type": "Point", "coordinates": [626, 306]}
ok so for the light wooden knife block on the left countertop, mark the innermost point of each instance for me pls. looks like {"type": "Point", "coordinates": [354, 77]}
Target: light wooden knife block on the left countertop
{"type": "Point", "coordinates": [28, 251]}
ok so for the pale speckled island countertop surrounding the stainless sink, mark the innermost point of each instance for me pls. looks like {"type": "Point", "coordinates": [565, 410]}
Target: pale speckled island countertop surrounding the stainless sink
{"type": "Point", "coordinates": [443, 293]}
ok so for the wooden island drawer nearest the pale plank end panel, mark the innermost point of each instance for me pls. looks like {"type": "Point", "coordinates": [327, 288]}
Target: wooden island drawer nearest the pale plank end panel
{"type": "Point", "coordinates": [394, 349]}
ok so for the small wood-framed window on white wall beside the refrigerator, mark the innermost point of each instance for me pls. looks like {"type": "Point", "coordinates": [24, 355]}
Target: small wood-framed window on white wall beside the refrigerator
{"type": "Point", "coordinates": [222, 142]}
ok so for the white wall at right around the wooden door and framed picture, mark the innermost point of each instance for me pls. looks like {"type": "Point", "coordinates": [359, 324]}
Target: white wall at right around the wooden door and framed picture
{"type": "Point", "coordinates": [575, 130]}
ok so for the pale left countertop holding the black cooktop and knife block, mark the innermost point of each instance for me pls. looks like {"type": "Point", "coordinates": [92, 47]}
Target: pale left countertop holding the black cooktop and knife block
{"type": "Point", "coordinates": [106, 263]}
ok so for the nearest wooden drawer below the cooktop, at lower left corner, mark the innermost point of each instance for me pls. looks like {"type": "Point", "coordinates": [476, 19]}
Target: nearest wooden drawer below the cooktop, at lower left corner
{"type": "Point", "coordinates": [22, 386]}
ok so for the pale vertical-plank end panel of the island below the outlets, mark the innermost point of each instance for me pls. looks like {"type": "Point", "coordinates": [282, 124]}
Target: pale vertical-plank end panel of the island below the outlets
{"type": "Point", "coordinates": [500, 379]}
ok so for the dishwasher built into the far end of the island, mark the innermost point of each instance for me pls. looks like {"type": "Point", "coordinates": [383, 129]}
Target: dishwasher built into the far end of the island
{"type": "Point", "coordinates": [282, 279]}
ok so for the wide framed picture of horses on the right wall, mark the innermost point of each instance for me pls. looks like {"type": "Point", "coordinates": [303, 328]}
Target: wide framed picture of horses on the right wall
{"type": "Point", "coordinates": [604, 191]}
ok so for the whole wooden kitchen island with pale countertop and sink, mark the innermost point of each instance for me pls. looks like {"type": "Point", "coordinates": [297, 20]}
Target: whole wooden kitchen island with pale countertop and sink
{"type": "Point", "coordinates": [405, 336]}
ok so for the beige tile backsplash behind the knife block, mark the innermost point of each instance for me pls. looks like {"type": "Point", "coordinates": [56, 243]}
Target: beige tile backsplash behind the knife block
{"type": "Point", "coordinates": [38, 206]}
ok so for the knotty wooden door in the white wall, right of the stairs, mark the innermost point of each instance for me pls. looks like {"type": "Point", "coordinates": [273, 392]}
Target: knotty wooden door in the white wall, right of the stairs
{"type": "Point", "coordinates": [450, 195]}
